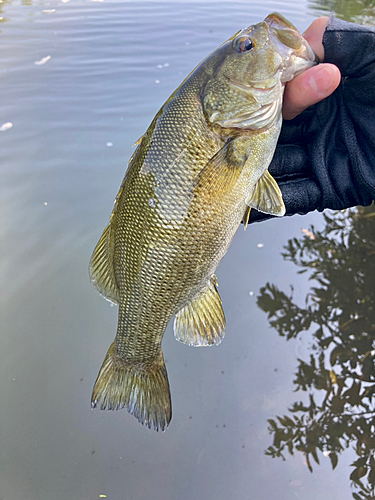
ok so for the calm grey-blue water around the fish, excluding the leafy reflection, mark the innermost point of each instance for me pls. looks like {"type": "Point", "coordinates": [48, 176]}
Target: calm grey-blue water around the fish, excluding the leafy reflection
{"type": "Point", "coordinates": [80, 83]}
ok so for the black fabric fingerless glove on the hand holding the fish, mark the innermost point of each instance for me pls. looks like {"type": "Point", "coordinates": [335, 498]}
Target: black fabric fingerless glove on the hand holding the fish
{"type": "Point", "coordinates": [325, 157]}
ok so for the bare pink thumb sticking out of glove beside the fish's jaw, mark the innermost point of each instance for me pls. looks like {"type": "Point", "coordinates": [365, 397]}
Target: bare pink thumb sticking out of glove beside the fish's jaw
{"type": "Point", "coordinates": [310, 87]}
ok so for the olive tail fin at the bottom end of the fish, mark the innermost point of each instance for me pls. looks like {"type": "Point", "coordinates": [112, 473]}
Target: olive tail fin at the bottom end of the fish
{"type": "Point", "coordinates": [141, 388]}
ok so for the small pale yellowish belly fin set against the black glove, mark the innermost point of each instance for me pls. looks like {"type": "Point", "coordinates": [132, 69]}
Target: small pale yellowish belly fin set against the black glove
{"type": "Point", "coordinates": [266, 196]}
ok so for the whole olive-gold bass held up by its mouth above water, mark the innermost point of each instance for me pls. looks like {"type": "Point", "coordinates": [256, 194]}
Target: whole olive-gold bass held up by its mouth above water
{"type": "Point", "coordinates": [195, 175]}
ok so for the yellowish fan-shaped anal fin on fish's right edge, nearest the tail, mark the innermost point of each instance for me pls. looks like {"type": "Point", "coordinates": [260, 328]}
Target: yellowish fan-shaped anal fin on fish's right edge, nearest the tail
{"type": "Point", "coordinates": [202, 321]}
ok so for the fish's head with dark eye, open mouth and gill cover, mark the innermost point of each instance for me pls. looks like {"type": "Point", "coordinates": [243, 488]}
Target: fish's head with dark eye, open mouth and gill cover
{"type": "Point", "coordinates": [249, 72]}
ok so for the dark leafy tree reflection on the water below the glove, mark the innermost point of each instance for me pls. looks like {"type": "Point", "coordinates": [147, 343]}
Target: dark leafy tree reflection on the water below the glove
{"type": "Point", "coordinates": [339, 377]}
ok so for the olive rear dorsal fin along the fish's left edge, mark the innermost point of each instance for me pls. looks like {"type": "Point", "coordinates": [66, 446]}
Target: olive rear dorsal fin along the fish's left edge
{"type": "Point", "coordinates": [101, 267]}
